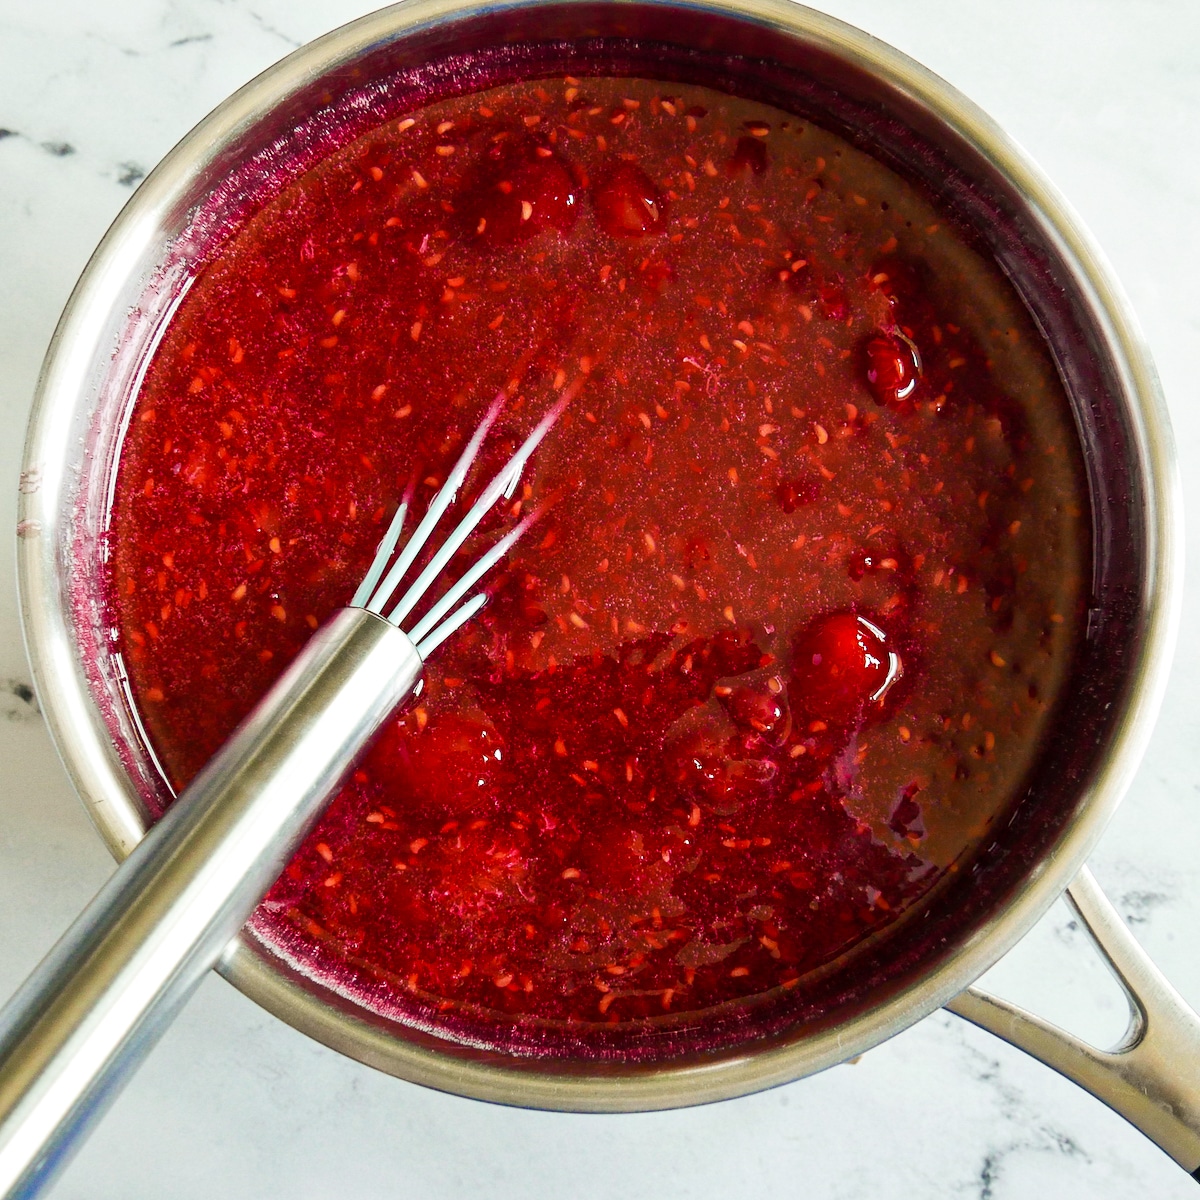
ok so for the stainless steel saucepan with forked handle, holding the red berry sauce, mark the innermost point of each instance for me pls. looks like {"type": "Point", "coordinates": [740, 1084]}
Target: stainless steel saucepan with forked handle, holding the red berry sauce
{"type": "Point", "coordinates": [883, 101]}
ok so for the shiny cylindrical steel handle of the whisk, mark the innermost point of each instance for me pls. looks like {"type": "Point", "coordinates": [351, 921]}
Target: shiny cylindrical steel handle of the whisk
{"type": "Point", "coordinates": [99, 1001]}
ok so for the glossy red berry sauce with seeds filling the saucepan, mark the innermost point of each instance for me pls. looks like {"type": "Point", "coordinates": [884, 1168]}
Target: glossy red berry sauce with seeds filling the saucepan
{"type": "Point", "coordinates": [783, 646]}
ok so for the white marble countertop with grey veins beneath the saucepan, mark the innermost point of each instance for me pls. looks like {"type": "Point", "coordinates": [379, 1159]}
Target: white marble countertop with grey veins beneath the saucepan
{"type": "Point", "coordinates": [1106, 94]}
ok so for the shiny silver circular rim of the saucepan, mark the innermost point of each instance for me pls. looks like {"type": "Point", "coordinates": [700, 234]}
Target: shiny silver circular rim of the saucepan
{"type": "Point", "coordinates": [97, 770]}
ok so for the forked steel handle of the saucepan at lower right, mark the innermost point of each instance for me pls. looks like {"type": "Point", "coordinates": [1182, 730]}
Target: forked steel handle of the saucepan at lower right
{"type": "Point", "coordinates": [1153, 1076]}
